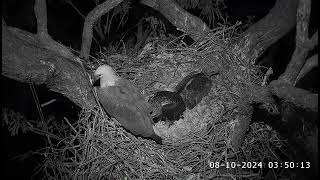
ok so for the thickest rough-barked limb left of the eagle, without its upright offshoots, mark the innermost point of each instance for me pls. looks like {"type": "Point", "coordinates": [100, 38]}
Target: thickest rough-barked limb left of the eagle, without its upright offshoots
{"type": "Point", "coordinates": [24, 60]}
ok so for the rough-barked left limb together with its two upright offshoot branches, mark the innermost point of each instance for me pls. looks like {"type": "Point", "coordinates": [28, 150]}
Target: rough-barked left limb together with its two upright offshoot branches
{"type": "Point", "coordinates": [37, 58]}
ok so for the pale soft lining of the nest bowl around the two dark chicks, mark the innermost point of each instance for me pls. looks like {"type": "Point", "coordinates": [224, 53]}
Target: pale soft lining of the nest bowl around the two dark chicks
{"type": "Point", "coordinates": [167, 74]}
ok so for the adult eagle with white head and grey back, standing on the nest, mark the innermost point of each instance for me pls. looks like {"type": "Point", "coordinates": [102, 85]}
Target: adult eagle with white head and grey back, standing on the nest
{"type": "Point", "coordinates": [123, 101]}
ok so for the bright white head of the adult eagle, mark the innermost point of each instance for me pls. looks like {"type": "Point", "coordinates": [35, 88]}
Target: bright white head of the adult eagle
{"type": "Point", "coordinates": [107, 76]}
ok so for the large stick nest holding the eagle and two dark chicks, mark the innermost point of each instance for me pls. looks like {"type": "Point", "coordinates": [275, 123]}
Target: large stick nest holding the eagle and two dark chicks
{"type": "Point", "coordinates": [195, 147]}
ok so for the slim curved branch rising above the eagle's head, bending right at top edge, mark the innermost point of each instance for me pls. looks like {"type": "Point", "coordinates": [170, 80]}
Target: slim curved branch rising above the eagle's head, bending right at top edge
{"type": "Point", "coordinates": [92, 17]}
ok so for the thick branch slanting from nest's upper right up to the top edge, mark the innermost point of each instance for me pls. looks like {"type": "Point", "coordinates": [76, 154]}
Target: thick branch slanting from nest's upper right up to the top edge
{"type": "Point", "coordinates": [278, 22]}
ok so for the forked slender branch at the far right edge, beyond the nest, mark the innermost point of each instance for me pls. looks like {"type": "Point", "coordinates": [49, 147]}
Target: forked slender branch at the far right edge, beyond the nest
{"type": "Point", "coordinates": [284, 86]}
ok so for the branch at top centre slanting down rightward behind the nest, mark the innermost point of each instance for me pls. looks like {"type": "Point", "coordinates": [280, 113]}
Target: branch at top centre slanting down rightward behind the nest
{"type": "Point", "coordinates": [180, 18]}
